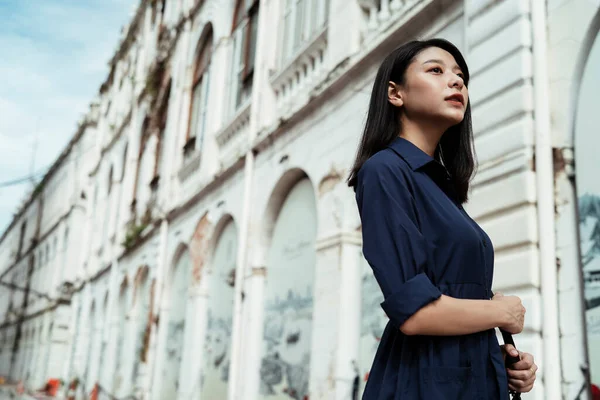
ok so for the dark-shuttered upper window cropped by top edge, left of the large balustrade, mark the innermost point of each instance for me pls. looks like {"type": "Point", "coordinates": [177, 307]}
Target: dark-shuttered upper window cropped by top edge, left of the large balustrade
{"type": "Point", "coordinates": [244, 33]}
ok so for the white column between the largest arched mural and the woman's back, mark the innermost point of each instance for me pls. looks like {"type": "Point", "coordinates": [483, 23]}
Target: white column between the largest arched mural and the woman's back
{"type": "Point", "coordinates": [336, 315]}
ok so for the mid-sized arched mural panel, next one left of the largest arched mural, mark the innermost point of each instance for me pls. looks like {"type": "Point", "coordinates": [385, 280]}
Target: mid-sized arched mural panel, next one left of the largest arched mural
{"type": "Point", "coordinates": [217, 343]}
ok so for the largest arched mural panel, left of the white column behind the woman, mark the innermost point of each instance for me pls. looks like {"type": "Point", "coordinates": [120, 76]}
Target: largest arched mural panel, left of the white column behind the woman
{"type": "Point", "coordinates": [287, 331]}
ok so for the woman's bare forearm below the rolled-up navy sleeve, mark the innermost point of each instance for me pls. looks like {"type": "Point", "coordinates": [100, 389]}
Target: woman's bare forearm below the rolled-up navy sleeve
{"type": "Point", "coordinates": [448, 316]}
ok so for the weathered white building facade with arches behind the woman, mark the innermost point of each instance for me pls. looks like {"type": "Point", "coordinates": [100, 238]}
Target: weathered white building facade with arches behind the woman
{"type": "Point", "coordinates": [196, 239]}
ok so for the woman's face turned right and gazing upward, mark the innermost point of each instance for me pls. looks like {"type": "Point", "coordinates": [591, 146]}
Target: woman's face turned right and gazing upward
{"type": "Point", "coordinates": [433, 90]}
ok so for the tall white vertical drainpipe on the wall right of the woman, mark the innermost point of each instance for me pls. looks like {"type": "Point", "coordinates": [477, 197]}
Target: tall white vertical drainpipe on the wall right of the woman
{"type": "Point", "coordinates": [544, 166]}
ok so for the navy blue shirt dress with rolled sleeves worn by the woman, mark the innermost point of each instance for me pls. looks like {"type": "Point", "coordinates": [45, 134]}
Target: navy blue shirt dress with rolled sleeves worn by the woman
{"type": "Point", "coordinates": [421, 244]}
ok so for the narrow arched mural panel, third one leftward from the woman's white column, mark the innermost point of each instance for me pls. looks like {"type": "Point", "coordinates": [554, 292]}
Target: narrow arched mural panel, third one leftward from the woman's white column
{"type": "Point", "coordinates": [176, 327]}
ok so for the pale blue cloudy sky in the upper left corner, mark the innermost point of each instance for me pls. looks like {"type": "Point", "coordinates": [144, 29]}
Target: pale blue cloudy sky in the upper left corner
{"type": "Point", "coordinates": [55, 56]}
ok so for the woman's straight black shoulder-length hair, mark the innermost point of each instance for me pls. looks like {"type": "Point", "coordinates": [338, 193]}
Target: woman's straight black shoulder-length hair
{"type": "Point", "coordinates": [455, 149]}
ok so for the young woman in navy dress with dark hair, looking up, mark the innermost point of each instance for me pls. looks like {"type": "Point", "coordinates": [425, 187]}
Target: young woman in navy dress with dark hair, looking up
{"type": "Point", "coordinates": [434, 264]}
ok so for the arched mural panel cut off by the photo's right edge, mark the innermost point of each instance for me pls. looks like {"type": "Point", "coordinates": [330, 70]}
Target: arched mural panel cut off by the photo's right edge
{"type": "Point", "coordinates": [587, 141]}
